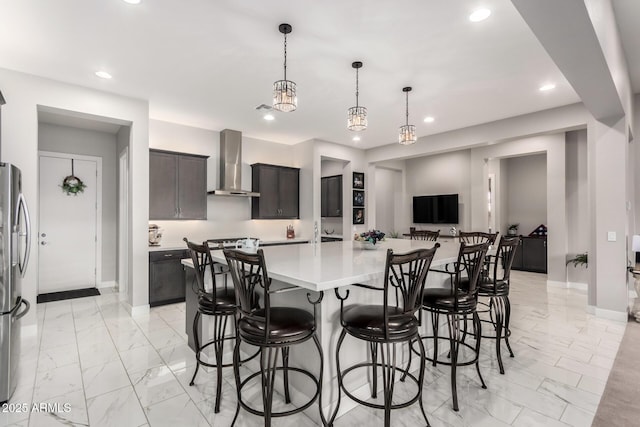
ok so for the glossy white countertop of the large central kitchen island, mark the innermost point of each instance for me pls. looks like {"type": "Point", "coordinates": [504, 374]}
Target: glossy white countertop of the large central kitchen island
{"type": "Point", "coordinates": [333, 264]}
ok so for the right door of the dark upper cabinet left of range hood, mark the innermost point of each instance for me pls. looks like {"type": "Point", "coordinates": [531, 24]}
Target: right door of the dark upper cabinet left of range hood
{"type": "Point", "coordinates": [192, 187]}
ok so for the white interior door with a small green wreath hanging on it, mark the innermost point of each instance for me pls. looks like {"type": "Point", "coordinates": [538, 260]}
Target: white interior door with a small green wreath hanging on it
{"type": "Point", "coordinates": [67, 236]}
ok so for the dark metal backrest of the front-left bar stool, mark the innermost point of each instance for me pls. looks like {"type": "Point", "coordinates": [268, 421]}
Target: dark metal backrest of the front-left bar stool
{"type": "Point", "coordinates": [249, 274]}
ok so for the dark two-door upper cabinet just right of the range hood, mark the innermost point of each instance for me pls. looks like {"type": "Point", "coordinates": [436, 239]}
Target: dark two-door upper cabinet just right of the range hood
{"type": "Point", "coordinates": [279, 188]}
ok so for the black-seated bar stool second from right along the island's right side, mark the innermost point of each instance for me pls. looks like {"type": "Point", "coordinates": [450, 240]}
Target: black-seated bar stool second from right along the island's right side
{"type": "Point", "coordinates": [457, 304]}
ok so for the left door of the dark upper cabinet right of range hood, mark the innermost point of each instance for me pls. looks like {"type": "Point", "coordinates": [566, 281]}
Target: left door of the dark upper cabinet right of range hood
{"type": "Point", "coordinates": [265, 181]}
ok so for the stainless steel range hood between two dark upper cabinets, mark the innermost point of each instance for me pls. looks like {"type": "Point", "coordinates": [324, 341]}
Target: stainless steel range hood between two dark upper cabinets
{"type": "Point", "coordinates": [231, 166]}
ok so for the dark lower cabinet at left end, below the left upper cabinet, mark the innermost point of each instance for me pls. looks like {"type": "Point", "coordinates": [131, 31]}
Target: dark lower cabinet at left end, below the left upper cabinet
{"type": "Point", "coordinates": [166, 277]}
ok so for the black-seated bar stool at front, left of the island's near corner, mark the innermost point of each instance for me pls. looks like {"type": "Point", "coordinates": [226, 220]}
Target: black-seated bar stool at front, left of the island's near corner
{"type": "Point", "coordinates": [273, 330]}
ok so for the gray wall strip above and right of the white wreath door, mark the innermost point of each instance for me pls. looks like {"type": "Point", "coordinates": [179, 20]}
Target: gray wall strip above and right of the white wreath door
{"type": "Point", "coordinates": [64, 139]}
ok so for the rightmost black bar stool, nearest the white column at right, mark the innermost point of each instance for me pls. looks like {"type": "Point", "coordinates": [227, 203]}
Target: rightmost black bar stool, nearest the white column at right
{"type": "Point", "coordinates": [496, 288]}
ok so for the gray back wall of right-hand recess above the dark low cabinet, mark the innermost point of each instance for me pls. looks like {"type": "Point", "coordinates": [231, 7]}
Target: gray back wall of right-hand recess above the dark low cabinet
{"type": "Point", "coordinates": [527, 192]}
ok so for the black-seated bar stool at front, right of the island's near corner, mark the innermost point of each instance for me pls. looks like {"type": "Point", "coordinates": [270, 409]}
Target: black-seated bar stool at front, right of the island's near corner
{"type": "Point", "coordinates": [386, 325]}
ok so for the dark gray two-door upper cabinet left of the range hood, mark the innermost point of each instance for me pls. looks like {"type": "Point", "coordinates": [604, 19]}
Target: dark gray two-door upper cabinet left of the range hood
{"type": "Point", "coordinates": [177, 185]}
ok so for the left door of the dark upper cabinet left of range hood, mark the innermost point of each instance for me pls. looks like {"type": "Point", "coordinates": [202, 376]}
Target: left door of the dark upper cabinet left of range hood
{"type": "Point", "coordinates": [163, 197]}
